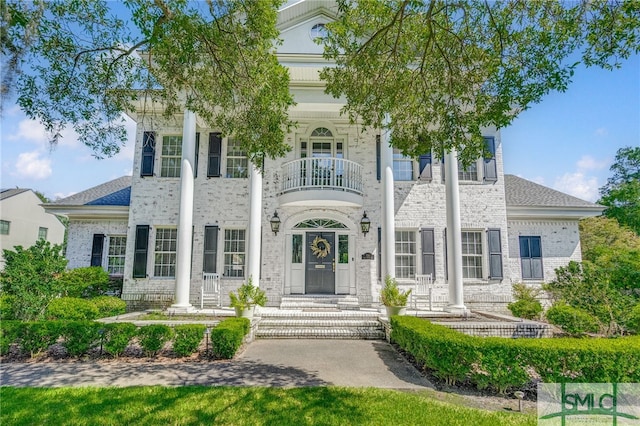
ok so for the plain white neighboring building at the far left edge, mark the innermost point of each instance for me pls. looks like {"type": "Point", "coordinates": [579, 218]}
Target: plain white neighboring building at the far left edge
{"type": "Point", "coordinates": [23, 221]}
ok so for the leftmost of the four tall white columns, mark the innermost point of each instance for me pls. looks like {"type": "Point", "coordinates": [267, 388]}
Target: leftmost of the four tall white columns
{"type": "Point", "coordinates": [185, 219]}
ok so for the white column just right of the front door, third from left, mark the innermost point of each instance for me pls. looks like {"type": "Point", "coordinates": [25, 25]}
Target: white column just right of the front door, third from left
{"type": "Point", "coordinates": [388, 210]}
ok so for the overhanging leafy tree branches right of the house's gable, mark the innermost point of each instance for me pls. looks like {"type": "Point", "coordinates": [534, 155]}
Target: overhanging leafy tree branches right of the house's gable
{"type": "Point", "coordinates": [444, 69]}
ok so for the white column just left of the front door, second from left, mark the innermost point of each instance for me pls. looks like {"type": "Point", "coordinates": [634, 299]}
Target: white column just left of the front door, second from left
{"type": "Point", "coordinates": [255, 225]}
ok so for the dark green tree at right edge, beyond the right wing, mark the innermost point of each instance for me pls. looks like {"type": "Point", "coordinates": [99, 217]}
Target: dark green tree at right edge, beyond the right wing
{"type": "Point", "coordinates": [621, 193]}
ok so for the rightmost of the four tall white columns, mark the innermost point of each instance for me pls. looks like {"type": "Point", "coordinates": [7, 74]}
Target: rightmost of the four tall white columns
{"type": "Point", "coordinates": [454, 236]}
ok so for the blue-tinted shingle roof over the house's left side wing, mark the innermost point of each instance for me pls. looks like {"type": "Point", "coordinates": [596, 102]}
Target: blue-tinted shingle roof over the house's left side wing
{"type": "Point", "coordinates": [113, 193]}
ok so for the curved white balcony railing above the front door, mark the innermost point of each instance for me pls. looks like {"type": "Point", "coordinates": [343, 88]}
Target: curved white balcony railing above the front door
{"type": "Point", "coordinates": [322, 173]}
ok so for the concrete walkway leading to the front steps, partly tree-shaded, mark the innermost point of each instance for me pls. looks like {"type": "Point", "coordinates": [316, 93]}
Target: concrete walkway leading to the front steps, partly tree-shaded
{"type": "Point", "coordinates": [289, 363]}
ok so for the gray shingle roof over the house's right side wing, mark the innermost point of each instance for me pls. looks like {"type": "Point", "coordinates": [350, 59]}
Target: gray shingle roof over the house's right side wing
{"type": "Point", "coordinates": [522, 192]}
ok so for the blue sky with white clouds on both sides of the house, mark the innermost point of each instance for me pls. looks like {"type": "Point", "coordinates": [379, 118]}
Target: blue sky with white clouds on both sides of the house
{"type": "Point", "coordinates": [567, 142]}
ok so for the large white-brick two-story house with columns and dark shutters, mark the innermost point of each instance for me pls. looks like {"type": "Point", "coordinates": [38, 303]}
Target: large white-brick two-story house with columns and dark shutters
{"type": "Point", "coordinates": [338, 213]}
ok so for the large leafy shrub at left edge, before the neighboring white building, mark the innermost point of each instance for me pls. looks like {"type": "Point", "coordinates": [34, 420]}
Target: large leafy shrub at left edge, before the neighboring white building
{"type": "Point", "coordinates": [30, 275]}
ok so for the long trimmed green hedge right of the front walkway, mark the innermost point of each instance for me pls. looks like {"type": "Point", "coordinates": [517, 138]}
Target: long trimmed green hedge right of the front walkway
{"type": "Point", "coordinates": [502, 364]}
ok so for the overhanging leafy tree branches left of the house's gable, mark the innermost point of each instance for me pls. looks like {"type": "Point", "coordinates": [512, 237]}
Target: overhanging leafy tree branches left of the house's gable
{"type": "Point", "coordinates": [80, 63]}
